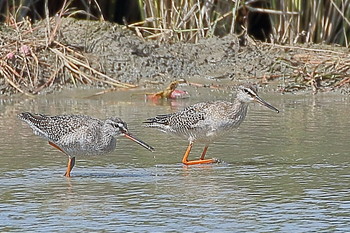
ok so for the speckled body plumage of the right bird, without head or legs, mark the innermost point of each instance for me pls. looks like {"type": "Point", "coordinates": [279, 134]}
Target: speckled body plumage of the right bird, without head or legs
{"type": "Point", "coordinates": [201, 121]}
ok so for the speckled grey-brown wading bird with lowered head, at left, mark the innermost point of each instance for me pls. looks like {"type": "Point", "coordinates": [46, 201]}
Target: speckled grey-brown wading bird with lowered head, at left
{"type": "Point", "coordinates": [79, 135]}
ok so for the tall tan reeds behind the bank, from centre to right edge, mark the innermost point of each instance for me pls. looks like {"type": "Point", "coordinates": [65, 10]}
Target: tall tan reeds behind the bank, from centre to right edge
{"type": "Point", "coordinates": [293, 21]}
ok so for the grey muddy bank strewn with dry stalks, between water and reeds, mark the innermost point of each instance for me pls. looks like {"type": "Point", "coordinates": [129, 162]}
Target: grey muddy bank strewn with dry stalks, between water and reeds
{"type": "Point", "coordinates": [43, 57]}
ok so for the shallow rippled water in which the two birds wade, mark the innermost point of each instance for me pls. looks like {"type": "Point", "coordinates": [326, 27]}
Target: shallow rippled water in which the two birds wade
{"type": "Point", "coordinates": [286, 172]}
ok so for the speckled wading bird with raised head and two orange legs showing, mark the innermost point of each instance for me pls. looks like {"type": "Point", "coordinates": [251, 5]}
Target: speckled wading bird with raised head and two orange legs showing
{"type": "Point", "coordinates": [204, 122]}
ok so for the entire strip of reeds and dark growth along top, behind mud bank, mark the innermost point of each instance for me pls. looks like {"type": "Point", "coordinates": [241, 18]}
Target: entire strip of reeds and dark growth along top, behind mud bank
{"type": "Point", "coordinates": [293, 21]}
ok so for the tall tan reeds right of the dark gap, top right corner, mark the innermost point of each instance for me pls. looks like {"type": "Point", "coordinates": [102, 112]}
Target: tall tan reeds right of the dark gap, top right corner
{"type": "Point", "coordinates": [312, 21]}
